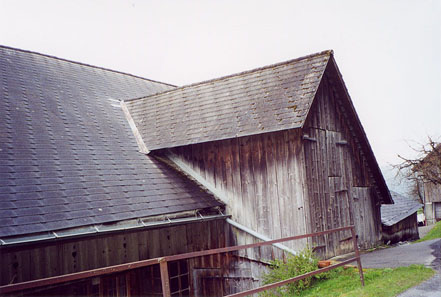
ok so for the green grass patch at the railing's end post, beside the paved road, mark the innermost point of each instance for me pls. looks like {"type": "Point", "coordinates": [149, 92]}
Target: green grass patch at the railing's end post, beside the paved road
{"type": "Point", "coordinates": [378, 282]}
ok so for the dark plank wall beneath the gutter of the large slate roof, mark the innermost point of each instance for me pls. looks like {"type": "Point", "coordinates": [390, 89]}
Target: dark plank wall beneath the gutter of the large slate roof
{"type": "Point", "coordinates": [203, 276]}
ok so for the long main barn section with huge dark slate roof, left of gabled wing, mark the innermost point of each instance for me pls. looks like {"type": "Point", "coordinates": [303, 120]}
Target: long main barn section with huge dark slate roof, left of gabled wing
{"type": "Point", "coordinates": [75, 192]}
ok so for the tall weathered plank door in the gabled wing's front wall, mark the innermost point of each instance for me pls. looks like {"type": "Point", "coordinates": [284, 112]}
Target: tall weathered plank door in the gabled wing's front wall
{"type": "Point", "coordinates": [328, 171]}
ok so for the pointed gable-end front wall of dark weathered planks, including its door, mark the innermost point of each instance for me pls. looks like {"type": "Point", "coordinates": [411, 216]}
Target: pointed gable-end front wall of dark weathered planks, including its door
{"type": "Point", "coordinates": [340, 186]}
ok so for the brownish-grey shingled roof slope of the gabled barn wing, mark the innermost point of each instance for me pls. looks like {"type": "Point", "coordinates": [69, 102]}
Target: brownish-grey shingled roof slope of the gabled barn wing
{"type": "Point", "coordinates": [272, 98]}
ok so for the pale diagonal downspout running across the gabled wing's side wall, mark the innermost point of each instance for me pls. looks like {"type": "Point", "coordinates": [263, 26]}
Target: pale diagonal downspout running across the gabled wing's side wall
{"type": "Point", "coordinates": [188, 170]}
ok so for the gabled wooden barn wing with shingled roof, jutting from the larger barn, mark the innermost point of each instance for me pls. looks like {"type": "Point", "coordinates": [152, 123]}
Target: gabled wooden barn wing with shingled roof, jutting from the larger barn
{"type": "Point", "coordinates": [281, 146]}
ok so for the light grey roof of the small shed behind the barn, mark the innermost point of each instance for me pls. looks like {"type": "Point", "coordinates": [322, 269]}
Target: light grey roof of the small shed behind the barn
{"type": "Point", "coordinates": [402, 208]}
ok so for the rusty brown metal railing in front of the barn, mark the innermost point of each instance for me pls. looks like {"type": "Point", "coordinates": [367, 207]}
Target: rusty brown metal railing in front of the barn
{"type": "Point", "coordinates": [162, 261]}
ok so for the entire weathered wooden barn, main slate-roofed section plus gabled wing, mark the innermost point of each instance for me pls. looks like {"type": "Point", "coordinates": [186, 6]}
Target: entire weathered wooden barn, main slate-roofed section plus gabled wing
{"type": "Point", "coordinates": [91, 177]}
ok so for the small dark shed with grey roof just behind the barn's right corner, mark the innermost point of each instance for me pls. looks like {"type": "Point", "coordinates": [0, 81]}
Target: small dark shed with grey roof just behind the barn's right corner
{"type": "Point", "coordinates": [400, 219]}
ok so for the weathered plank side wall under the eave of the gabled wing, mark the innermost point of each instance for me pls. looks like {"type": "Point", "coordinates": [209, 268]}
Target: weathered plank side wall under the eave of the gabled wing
{"type": "Point", "coordinates": [262, 177]}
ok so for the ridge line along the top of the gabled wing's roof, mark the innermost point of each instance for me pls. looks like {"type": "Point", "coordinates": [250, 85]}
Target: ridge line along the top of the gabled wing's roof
{"type": "Point", "coordinates": [329, 52]}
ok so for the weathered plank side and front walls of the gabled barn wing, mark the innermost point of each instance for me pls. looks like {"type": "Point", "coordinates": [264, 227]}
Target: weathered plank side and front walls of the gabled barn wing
{"type": "Point", "coordinates": [296, 181]}
